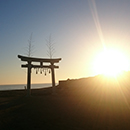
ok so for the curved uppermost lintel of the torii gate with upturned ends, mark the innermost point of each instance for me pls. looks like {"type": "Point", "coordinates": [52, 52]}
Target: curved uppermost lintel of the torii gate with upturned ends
{"type": "Point", "coordinates": [32, 59]}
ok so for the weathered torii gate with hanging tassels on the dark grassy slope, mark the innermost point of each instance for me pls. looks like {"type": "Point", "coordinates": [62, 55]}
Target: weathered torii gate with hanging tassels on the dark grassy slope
{"type": "Point", "coordinates": [29, 66]}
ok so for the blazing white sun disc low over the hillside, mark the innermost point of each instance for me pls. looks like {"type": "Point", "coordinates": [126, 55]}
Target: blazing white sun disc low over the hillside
{"type": "Point", "coordinates": [110, 63]}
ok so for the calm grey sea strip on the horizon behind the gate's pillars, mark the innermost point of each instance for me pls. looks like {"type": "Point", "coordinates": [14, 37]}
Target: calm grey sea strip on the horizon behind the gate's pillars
{"type": "Point", "coordinates": [22, 86]}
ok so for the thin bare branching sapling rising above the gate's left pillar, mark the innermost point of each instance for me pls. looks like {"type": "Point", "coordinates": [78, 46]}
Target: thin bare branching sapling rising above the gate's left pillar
{"type": "Point", "coordinates": [30, 47]}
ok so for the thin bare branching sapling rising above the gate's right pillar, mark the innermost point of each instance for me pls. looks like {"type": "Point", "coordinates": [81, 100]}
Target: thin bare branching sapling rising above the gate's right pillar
{"type": "Point", "coordinates": [50, 44]}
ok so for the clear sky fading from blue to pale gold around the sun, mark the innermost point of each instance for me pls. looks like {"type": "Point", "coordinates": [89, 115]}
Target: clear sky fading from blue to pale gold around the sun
{"type": "Point", "coordinates": [79, 28]}
